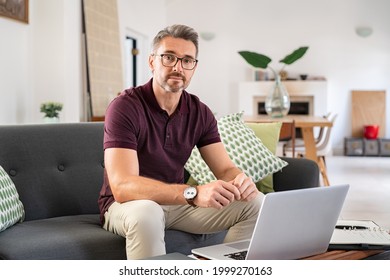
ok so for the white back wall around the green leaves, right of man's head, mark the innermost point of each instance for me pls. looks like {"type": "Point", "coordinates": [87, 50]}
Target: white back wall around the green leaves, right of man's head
{"type": "Point", "coordinates": [277, 27]}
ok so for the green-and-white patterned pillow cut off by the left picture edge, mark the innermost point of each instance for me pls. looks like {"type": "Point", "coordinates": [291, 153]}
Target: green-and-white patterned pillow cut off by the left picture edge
{"type": "Point", "coordinates": [11, 208]}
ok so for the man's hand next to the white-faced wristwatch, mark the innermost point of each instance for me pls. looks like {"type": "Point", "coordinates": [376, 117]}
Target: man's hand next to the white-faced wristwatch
{"type": "Point", "coordinates": [217, 194]}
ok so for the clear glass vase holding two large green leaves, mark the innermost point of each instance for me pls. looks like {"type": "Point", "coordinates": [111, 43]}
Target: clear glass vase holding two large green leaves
{"type": "Point", "coordinates": [277, 102]}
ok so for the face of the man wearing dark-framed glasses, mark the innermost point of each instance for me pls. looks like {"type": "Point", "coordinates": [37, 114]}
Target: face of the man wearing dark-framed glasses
{"type": "Point", "coordinates": [172, 78]}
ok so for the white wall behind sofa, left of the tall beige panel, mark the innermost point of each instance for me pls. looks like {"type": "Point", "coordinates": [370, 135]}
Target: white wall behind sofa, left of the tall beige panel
{"type": "Point", "coordinates": [41, 61]}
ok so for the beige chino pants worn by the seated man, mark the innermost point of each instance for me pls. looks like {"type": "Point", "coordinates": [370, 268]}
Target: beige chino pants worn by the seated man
{"type": "Point", "coordinates": [143, 223]}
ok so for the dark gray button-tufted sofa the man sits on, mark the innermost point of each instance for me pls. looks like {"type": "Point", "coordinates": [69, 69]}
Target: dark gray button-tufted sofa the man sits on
{"type": "Point", "coordinates": [58, 171]}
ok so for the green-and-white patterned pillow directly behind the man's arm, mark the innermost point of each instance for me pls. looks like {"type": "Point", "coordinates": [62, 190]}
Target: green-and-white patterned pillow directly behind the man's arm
{"type": "Point", "coordinates": [244, 148]}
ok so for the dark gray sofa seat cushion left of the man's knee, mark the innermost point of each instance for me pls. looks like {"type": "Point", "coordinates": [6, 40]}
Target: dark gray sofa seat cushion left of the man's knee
{"type": "Point", "coordinates": [66, 238]}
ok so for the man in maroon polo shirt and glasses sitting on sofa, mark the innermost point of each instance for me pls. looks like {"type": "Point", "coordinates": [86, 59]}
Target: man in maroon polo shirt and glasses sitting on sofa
{"type": "Point", "coordinates": [149, 134]}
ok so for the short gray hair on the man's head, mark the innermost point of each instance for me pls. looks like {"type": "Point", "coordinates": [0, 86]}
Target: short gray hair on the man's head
{"type": "Point", "coordinates": [177, 31]}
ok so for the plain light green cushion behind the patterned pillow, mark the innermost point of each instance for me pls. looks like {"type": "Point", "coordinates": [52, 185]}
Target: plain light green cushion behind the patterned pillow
{"type": "Point", "coordinates": [269, 135]}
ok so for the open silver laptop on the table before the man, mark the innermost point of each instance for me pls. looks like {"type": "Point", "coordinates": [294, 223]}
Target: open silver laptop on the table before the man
{"type": "Point", "coordinates": [291, 225]}
